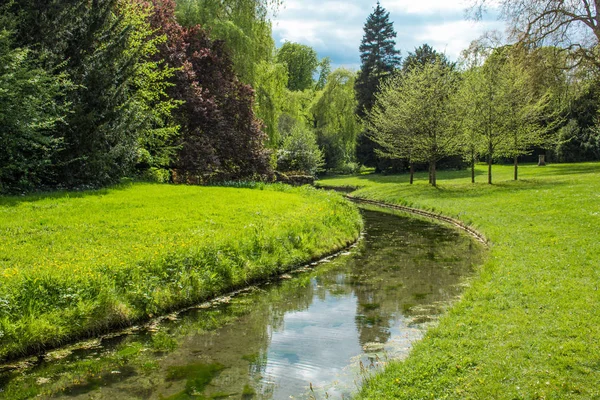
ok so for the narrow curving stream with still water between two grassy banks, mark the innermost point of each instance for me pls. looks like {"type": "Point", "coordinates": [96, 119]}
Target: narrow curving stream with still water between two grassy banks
{"type": "Point", "coordinates": [316, 333]}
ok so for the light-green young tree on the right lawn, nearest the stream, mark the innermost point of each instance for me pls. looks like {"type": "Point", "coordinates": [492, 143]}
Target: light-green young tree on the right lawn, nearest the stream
{"type": "Point", "coordinates": [415, 118]}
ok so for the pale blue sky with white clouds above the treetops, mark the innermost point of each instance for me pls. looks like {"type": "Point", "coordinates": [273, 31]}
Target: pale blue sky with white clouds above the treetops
{"type": "Point", "coordinates": [334, 28]}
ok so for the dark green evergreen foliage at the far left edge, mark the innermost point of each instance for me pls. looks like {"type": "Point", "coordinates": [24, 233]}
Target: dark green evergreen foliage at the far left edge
{"type": "Point", "coordinates": [30, 110]}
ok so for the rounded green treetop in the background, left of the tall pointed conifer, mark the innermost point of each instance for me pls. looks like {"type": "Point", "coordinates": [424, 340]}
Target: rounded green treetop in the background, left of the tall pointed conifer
{"type": "Point", "coordinates": [301, 61]}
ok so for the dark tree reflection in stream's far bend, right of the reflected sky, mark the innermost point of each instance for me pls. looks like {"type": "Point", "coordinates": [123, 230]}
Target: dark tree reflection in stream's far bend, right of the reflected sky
{"type": "Point", "coordinates": [404, 265]}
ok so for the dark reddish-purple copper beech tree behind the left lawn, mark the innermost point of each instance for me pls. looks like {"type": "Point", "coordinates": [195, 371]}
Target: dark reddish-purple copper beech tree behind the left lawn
{"type": "Point", "coordinates": [220, 137]}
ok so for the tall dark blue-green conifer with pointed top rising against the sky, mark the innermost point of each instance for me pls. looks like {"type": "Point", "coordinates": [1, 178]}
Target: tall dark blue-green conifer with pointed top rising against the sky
{"type": "Point", "coordinates": [379, 59]}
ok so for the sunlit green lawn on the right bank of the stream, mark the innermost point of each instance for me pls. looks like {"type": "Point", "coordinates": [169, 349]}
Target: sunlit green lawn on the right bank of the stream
{"type": "Point", "coordinates": [528, 326]}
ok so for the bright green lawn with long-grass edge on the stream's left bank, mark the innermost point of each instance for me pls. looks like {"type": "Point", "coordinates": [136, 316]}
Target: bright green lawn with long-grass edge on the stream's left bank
{"type": "Point", "coordinates": [74, 264]}
